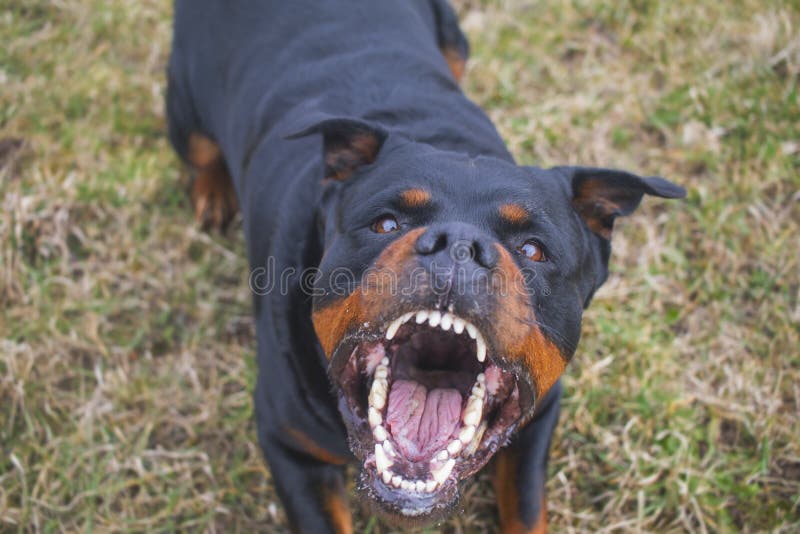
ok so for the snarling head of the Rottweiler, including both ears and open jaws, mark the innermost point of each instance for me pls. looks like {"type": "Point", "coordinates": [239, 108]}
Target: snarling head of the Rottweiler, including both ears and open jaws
{"type": "Point", "coordinates": [449, 300]}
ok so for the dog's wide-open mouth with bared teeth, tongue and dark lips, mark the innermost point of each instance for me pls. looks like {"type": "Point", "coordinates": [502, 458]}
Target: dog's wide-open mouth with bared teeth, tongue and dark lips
{"type": "Point", "coordinates": [428, 404]}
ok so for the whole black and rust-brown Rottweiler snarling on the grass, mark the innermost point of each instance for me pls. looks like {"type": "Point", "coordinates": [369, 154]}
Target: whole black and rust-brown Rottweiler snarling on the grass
{"type": "Point", "coordinates": [449, 282]}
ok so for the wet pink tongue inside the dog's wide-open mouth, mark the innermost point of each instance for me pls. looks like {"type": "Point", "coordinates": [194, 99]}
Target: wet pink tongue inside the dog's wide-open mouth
{"type": "Point", "coordinates": [421, 421]}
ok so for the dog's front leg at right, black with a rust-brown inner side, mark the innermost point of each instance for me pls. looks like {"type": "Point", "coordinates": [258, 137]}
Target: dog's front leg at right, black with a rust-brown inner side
{"type": "Point", "coordinates": [521, 471]}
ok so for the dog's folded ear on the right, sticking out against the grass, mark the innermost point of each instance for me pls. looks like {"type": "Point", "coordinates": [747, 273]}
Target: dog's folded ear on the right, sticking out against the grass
{"type": "Point", "coordinates": [601, 195]}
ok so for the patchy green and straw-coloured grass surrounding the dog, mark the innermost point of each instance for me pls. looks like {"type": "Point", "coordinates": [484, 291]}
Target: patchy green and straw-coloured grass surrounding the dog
{"type": "Point", "coordinates": [126, 345]}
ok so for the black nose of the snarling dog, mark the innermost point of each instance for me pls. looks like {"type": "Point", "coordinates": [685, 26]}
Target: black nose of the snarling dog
{"type": "Point", "coordinates": [458, 243]}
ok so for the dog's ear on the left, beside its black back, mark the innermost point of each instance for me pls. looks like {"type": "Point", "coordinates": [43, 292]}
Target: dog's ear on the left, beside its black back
{"type": "Point", "coordinates": [347, 144]}
